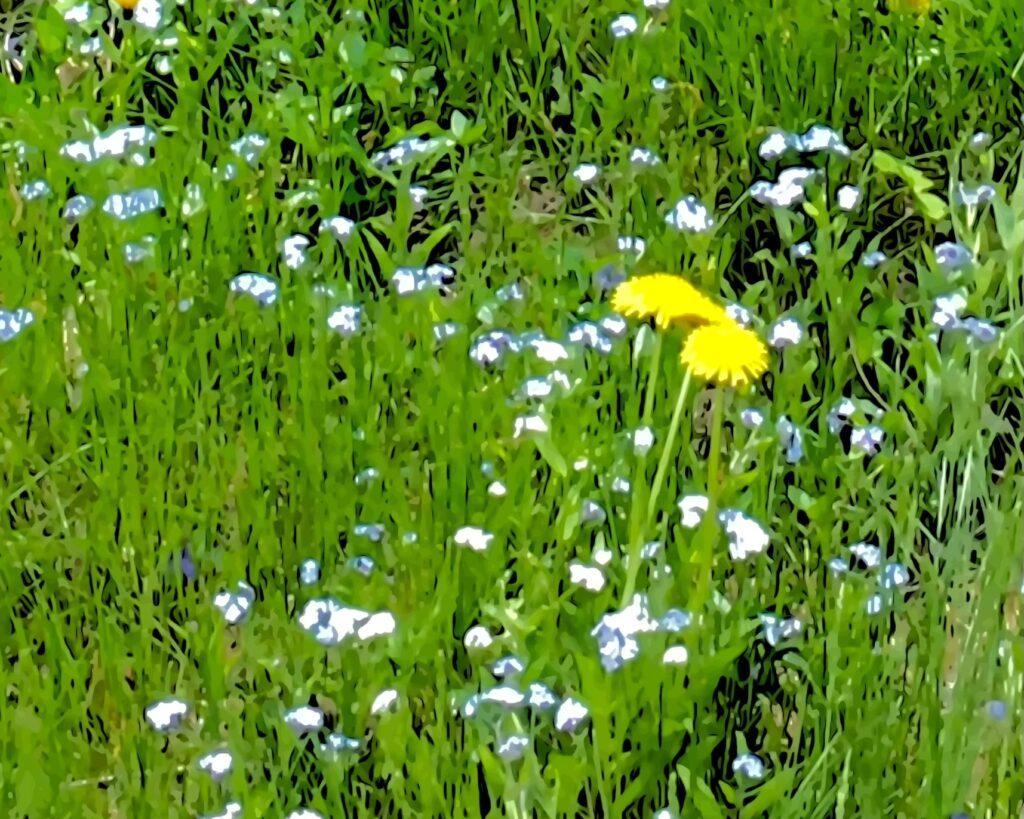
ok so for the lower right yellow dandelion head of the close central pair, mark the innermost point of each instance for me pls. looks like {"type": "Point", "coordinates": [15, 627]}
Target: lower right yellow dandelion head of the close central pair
{"type": "Point", "coordinates": [727, 354]}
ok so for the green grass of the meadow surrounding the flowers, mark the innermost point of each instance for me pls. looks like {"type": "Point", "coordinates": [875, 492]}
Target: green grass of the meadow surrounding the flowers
{"type": "Point", "coordinates": [240, 432]}
